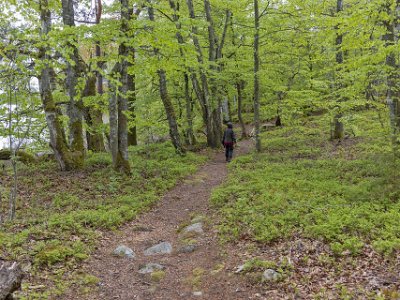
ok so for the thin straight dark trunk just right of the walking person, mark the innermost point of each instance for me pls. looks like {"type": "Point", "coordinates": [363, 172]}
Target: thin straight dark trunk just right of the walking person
{"type": "Point", "coordinates": [256, 76]}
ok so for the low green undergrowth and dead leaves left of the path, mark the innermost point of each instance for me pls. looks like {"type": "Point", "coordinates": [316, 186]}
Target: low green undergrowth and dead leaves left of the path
{"type": "Point", "coordinates": [61, 215]}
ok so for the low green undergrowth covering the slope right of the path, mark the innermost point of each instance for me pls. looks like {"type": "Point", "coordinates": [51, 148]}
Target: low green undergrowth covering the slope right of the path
{"type": "Point", "coordinates": [302, 184]}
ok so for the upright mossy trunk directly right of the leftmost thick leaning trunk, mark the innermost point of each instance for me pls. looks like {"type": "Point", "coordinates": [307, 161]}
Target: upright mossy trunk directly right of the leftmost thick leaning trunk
{"type": "Point", "coordinates": [75, 106]}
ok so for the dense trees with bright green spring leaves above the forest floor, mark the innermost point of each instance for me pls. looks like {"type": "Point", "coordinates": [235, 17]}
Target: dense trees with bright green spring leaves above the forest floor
{"type": "Point", "coordinates": [102, 75]}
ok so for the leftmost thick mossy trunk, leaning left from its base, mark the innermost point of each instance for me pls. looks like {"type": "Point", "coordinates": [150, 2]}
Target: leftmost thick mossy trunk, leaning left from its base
{"type": "Point", "coordinates": [65, 158]}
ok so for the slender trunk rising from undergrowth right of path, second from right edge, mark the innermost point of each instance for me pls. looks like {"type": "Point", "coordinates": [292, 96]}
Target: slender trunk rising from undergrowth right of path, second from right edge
{"type": "Point", "coordinates": [338, 132]}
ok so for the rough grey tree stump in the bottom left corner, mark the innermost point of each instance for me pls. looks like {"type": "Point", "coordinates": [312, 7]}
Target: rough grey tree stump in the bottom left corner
{"type": "Point", "coordinates": [10, 279]}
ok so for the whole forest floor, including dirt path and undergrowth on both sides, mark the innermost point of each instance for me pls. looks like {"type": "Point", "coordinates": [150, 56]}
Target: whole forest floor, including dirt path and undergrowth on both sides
{"type": "Point", "coordinates": [307, 218]}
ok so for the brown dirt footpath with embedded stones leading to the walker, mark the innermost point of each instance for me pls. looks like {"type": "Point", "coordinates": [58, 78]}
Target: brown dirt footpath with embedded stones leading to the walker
{"type": "Point", "coordinates": [205, 273]}
